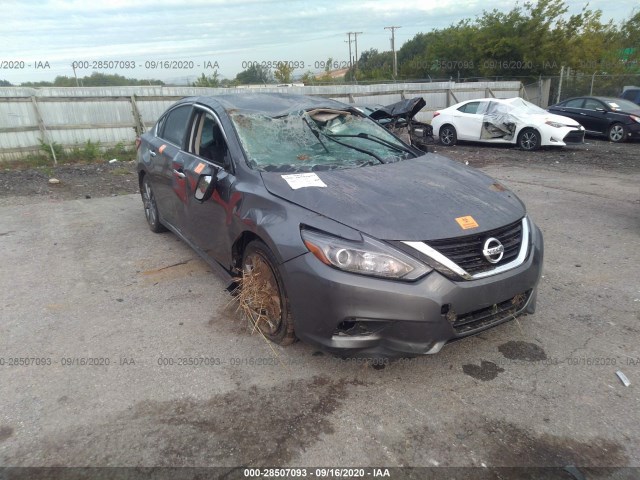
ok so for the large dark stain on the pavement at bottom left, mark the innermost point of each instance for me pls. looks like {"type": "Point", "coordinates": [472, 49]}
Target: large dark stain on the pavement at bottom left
{"type": "Point", "coordinates": [257, 426]}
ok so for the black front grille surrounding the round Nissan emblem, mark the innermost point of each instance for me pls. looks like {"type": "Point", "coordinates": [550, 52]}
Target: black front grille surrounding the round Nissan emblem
{"type": "Point", "coordinates": [467, 251]}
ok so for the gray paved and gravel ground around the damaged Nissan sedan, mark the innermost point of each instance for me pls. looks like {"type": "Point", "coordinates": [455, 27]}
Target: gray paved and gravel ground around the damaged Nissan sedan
{"type": "Point", "coordinates": [86, 279]}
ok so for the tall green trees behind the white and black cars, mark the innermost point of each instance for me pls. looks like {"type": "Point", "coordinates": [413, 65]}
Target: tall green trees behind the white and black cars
{"type": "Point", "coordinates": [530, 40]}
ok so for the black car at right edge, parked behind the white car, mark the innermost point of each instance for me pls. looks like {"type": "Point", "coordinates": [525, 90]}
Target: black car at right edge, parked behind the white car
{"type": "Point", "coordinates": [615, 118]}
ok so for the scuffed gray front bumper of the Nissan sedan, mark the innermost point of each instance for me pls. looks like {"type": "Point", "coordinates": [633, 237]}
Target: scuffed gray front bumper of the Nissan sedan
{"type": "Point", "coordinates": [355, 315]}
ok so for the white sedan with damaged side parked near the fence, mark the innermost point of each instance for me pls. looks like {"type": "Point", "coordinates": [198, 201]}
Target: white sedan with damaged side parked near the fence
{"type": "Point", "coordinates": [511, 120]}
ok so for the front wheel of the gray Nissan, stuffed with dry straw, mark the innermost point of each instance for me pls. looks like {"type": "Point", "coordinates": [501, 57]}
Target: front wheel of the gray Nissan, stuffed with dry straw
{"type": "Point", "coordinates": [274, 317]}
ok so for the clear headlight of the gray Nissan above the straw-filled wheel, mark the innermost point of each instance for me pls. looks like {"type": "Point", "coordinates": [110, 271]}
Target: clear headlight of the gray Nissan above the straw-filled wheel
{"type": "Point", "coordinates": [369, 257]}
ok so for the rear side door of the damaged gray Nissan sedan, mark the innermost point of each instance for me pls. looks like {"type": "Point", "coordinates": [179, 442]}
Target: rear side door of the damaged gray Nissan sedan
{"type": "Point", "coordinates": [168, 174]}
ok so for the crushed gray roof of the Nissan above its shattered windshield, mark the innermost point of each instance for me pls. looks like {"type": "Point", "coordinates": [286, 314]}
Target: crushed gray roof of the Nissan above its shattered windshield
{"type": "Point", "coordinates": [269, 104]}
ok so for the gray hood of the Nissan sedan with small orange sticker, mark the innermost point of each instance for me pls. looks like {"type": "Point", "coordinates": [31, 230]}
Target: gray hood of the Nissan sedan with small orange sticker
{"type": "Point", "coordinates": [414, 200]}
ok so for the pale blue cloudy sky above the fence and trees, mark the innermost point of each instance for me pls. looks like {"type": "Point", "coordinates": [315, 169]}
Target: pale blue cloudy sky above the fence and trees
{"type": "Point", "coordinates": [177, 41]}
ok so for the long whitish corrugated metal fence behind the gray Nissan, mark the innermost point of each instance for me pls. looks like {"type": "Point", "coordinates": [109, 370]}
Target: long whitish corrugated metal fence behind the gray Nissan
{"type": "Point", "coordinates": [30, 117]}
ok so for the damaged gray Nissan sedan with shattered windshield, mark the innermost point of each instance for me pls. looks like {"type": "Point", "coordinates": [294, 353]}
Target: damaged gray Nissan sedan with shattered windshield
{"type": "Point", "coordinates": [337, 232]}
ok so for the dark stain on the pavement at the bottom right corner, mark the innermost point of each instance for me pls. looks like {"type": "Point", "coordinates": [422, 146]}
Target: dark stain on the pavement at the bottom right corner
{"type": "Point", "coordinates": [497, 444]}
